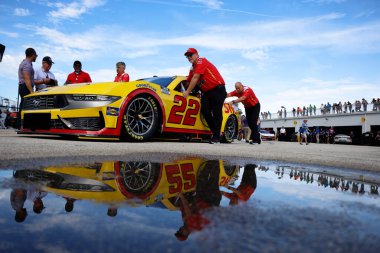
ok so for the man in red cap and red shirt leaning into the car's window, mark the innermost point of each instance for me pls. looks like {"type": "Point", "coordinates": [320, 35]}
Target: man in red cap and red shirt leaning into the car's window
{"type": "Point", "coordinates": [204, 74]}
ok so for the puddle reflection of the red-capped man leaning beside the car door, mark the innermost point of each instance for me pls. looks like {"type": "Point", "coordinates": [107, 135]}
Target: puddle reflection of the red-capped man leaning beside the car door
{"type": "Point", "coordinates": [207, 195]}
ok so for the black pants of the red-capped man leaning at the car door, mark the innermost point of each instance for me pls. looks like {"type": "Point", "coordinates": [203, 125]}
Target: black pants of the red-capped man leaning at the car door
{"type": "Point", "coordinates": [212, 108]}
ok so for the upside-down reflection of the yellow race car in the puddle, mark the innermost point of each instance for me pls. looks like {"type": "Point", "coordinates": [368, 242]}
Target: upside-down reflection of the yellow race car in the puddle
{"type": "Point", "coordinates": [133, 182]}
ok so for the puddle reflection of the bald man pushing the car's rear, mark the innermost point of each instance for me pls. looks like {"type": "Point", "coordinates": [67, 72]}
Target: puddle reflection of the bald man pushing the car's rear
{"type": "Point", "coordinates": [246, 188]}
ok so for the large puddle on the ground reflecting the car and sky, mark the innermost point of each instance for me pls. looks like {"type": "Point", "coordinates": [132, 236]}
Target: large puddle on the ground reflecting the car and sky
{"type": "Point", "coordinates": [187, 205]}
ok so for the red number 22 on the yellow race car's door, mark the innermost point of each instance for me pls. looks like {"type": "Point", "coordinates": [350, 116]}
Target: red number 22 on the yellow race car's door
{"type": "Point", "coordinates": [176, 113]}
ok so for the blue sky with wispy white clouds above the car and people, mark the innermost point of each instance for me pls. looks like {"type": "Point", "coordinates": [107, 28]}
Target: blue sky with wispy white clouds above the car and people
{"type": "Point", "coordinates": [290, 52]}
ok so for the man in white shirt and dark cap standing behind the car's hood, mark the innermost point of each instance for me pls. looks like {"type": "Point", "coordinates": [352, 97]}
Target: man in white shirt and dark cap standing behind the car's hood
{"type": "Point", "coordinates": [43, 77]}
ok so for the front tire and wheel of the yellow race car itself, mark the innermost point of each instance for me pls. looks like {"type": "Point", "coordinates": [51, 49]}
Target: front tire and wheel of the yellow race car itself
{"type": "Point", "coordinates": [140, 119]}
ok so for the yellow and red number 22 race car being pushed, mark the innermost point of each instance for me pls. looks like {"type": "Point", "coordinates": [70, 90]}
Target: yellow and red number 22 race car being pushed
{"type": "Point", "coordinates": [134, 111]}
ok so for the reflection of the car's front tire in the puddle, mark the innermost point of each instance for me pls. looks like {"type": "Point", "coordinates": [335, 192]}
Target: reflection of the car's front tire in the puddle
{"type": "Point", "coordinates": [139, 178]}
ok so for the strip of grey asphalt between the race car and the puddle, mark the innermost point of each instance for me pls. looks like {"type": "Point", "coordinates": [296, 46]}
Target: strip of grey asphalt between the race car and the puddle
{"type": "Point", "coordinates": [27, 150]}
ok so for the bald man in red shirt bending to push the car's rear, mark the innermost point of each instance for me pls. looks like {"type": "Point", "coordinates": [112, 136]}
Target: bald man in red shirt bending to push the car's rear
{"type": "Point", "coordinates": [252, 108]}
